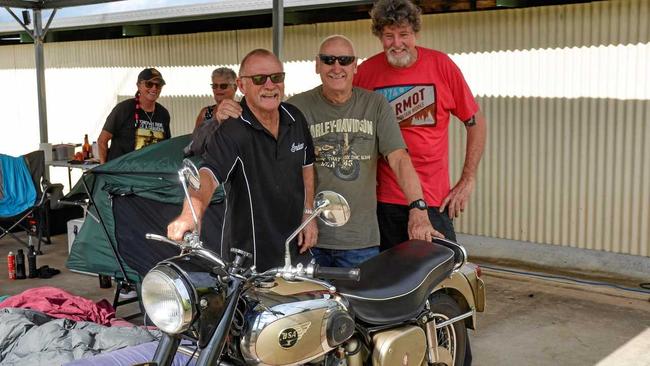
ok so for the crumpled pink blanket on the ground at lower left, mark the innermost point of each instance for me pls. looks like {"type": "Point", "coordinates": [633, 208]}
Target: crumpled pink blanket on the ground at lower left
{"type": "Point", "coordinates": [58, 303]}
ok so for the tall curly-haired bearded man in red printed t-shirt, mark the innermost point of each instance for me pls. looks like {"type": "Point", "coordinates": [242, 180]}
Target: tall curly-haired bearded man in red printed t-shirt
{"type": "Point", "coordinates": [423, 86]}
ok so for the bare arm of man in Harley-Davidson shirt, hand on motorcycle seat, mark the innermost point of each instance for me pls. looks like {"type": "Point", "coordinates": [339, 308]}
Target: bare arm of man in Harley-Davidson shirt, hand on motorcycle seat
{"type": "Point", "coordinates": [419, 226]}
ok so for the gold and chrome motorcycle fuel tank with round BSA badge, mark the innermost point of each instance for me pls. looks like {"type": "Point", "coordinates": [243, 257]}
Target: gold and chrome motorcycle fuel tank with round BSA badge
{"type": "Point", "coordinates": [293, 323]}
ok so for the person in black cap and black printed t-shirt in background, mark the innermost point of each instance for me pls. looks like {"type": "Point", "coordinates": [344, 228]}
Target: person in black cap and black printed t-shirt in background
{"type": "Point", "coordinates": [136, 122]}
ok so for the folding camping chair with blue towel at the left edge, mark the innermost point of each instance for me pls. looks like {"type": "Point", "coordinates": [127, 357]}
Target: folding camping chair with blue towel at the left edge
{"type": "Point", "coordinates": [34, 219]}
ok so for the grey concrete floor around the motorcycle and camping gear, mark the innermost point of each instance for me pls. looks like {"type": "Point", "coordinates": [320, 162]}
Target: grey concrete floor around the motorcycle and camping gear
{"type": "Point", "coordinates": [528, 321]}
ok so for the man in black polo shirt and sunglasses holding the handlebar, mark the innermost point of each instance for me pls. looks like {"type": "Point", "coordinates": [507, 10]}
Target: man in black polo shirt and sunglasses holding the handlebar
{"type": "Point", "coordinates": [265, 161]}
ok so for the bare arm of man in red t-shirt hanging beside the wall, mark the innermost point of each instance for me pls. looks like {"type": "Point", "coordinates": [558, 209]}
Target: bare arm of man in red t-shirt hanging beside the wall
{"type": "Point", "coordinates": [459, 195]}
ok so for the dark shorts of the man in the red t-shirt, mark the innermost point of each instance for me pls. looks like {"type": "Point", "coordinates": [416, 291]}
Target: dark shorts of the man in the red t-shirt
{"type": "Point", "coordinates": [393, 223]}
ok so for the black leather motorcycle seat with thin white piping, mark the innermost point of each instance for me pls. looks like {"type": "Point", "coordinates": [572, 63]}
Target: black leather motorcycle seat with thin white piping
{"type": "Point", "coordinates": [394, 285]}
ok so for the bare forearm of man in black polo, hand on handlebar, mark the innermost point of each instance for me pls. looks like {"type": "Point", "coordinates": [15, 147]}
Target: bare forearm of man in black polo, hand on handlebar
{"type": "Point", "coordinates": [200, 200]}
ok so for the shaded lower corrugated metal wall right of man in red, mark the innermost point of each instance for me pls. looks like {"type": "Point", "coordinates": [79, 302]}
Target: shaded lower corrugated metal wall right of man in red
{"type": "Point", "coordinates": [562, 171]}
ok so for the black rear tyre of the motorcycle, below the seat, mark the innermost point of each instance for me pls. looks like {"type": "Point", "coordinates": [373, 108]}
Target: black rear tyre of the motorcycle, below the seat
{"type": "Point", "coordinates": [452, 339]}
